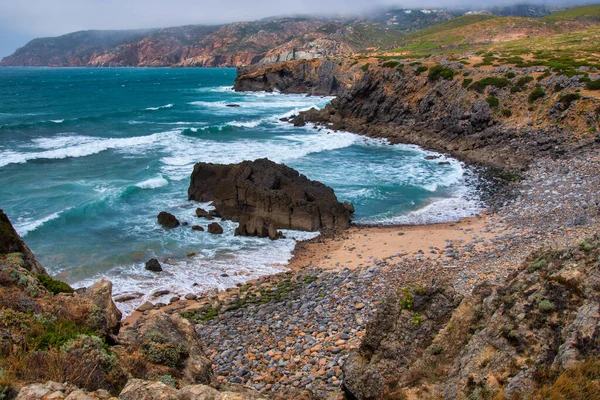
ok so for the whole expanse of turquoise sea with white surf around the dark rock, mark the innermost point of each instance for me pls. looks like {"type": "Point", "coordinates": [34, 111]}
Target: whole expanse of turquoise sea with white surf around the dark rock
{"type": "Point", "coordinates": [89, 157]}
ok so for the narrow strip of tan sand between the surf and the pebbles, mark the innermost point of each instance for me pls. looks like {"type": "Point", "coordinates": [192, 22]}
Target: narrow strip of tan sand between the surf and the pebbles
{"type": "Point", "coordinates": [333, 247]}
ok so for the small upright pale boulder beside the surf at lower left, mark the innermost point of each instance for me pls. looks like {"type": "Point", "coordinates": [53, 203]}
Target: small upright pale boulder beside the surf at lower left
{"type": "Point", "coordinates": [109, 316]}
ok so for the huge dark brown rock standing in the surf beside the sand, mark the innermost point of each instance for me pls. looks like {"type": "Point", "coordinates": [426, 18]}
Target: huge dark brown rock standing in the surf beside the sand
{"type": "Point", "coordinates": [262, 194]}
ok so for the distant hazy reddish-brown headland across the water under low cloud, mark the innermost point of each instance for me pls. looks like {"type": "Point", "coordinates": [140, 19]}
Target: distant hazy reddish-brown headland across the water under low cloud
{"type": "Point", "coordinates": [236, 44]}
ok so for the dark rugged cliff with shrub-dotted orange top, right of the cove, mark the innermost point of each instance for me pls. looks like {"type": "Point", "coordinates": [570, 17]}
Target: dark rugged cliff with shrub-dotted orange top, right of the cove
{"type": "Point", "coordinates": [486, 116]}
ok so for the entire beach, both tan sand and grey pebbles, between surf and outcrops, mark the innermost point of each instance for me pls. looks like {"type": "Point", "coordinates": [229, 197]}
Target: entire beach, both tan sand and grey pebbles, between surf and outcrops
{"type": "Point", "coordinates": [295, 331]}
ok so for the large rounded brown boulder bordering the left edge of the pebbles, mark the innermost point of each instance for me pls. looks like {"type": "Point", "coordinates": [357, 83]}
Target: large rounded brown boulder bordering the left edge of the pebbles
{"type": "Point", "coordinates": [160, 331]}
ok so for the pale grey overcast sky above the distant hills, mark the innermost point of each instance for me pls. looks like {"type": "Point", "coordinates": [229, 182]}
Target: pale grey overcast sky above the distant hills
{"type": "Point", "coordinates": [23, 20]}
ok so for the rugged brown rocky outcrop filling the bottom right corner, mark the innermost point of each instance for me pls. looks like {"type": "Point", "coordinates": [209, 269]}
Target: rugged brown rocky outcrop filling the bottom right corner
{"type": "Point", "coordinates": [514, 337]}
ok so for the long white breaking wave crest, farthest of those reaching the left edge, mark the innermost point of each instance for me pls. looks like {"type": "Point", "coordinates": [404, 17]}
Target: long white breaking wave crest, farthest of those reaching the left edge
{"type": "Point", "coordinates": [74, 146]}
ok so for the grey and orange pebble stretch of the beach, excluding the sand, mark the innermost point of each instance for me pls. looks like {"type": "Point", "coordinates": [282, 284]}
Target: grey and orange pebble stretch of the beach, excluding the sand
{"type": "Point", "coordinates": [299, 335]}
